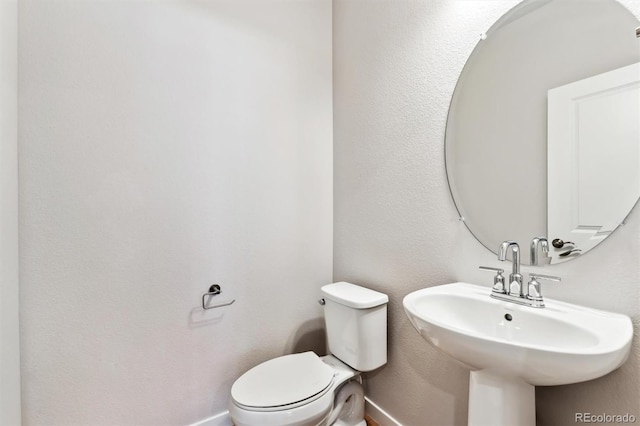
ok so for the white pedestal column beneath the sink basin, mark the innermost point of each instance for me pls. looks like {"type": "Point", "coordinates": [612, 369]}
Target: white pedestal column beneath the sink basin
{"type": "Point", "coordinates": [496, 400]}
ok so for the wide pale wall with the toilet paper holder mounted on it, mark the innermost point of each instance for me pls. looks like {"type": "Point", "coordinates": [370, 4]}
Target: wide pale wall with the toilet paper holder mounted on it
{"type": "Point", "coordinates": [165, 146]}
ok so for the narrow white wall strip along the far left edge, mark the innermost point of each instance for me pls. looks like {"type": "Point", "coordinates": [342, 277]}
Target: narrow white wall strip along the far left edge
{"type": "Point", "coordinates": [9, 330]}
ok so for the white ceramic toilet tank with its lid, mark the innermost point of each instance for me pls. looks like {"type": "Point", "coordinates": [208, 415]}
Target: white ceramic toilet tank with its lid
{"type": "Point", "coordinates": [356, 321]}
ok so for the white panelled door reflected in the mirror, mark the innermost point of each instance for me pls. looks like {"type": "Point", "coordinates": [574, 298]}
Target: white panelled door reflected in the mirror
{"type": "Point", "coordinates": [593, 157]}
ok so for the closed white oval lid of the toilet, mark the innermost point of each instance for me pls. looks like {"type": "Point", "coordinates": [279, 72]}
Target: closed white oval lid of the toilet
{"type": "Point", "coordinates": [282, 381]}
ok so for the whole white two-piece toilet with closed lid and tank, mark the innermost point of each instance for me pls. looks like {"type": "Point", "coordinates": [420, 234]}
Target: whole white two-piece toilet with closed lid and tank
{"type": "Point", "coordinates": [304, 389]}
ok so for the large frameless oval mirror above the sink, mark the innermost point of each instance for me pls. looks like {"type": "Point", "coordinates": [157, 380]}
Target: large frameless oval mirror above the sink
{"type": "Point", "coordinates": [543, 132]}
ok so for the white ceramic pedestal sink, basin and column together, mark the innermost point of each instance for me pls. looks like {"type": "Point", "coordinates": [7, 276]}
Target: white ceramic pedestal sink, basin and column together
{"type": "Point", "coordinates": [511, 348]}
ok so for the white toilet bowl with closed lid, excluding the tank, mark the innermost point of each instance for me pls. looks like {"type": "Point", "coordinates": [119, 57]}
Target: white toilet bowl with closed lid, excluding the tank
{"type": "Point", "coordinates": [308, 391]}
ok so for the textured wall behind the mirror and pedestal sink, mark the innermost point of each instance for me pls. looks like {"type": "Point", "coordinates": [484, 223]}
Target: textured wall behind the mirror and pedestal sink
{"type": "Point", "coordinates": [396, 228]}
